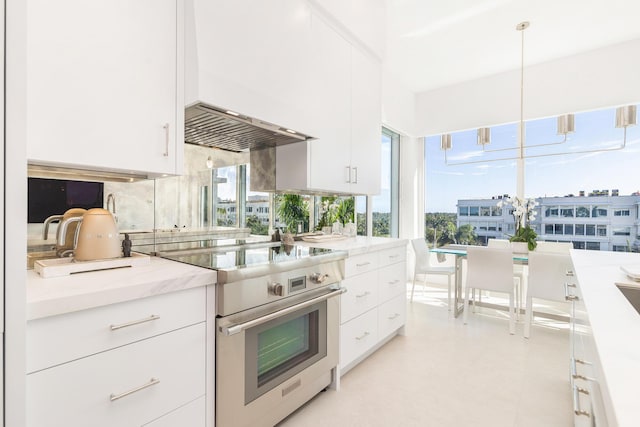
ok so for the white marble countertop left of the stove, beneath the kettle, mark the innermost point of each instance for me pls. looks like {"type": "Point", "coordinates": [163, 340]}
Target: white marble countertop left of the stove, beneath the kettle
{"type": "Point", "coordinates": [58, 295]}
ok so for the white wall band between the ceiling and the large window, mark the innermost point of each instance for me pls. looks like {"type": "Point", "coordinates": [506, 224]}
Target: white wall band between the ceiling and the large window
{"type": "Point", "coordinates": [597, 79]}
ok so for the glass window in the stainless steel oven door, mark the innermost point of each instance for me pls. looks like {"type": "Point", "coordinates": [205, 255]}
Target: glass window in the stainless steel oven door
{"type": "Point", "coordinates": [281, 348]}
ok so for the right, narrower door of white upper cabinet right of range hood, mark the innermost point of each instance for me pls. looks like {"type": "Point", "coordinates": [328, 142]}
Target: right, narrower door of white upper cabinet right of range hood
{"type": "Point", "coordinates": [366, 123]}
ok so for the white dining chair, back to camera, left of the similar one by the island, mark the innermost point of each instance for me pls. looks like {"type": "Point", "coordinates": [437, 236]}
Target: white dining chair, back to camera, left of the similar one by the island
{"type": "Point", "coordinates": [490, 269]}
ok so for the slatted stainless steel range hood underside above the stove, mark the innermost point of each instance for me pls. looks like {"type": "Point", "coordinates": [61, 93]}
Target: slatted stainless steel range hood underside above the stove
{"type": "Point", "coordinates": [228, 130]}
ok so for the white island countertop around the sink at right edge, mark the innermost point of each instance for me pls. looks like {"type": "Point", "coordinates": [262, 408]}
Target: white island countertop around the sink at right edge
{"type": "Point", "coordinates": [616, 328]}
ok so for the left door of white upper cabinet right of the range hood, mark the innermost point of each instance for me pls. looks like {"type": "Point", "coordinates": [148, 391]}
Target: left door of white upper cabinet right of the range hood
{"type": "Point", "coordinates": [330, 105]}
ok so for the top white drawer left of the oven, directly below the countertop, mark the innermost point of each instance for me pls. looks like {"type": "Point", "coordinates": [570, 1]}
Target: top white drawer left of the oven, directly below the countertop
{"type": "Point", "coordinates": [58, 339]}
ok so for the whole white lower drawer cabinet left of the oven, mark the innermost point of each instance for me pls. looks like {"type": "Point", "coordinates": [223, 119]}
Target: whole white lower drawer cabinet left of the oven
{"type": "Point", "coordinates": [131, 364]}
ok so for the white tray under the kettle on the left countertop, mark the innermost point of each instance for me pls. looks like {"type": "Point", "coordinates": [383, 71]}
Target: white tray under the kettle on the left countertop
{"type": "Point", "coordinates": [57, 267]}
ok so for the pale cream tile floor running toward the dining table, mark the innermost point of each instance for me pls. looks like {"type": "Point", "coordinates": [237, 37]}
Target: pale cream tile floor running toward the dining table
{"type": "Point", "coordinates": [444, 373]}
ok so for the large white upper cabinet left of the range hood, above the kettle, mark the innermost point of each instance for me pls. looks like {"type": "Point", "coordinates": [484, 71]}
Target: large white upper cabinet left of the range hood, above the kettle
{"type": "Point", "coordinates": [105, 85]}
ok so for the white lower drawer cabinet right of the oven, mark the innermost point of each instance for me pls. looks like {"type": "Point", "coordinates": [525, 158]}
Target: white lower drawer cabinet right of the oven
{"type": "Point", "coordinates": [374, 306]}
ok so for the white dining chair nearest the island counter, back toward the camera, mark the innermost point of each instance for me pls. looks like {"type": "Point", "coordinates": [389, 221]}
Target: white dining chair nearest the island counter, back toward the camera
{"type": "Point", "coordinates": [548, 272]}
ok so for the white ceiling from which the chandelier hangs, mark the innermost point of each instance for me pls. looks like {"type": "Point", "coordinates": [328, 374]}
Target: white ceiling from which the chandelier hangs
{"type": "Point", "coordinates": [436, 43]}
